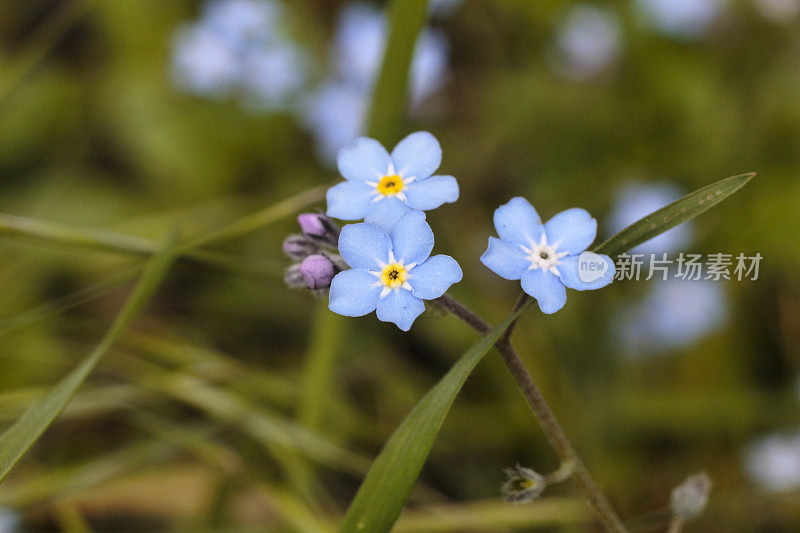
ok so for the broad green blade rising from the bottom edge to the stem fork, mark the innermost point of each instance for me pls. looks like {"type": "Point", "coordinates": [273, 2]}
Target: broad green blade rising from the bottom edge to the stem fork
{"type": "Point", "coordinates": [392, 476]}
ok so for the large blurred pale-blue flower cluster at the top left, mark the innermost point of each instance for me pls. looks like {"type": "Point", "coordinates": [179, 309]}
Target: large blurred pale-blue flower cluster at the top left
{"type": "Point", "coordinates": [238, 46]}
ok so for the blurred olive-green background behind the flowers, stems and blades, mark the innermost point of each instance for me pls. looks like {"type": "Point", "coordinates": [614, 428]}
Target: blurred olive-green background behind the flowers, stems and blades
{"type": "Point", "coordinates": [236, 403]}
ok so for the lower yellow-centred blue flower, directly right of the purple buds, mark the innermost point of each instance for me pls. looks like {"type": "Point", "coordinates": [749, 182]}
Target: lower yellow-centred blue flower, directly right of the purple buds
{"type": "Point", "coordinates": [391, 273]}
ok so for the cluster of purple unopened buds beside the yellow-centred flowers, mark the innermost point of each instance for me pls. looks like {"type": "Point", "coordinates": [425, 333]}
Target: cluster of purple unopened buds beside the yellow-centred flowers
{"type": "Point", "coordinates": [313, 253]}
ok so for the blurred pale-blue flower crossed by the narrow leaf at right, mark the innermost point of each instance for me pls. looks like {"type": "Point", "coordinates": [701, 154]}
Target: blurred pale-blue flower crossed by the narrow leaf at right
{"type": "Point", "coordinates": [637, 200]}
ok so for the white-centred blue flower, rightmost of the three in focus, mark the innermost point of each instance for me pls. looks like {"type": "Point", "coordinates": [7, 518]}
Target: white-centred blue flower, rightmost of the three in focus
{"type": "Point", "coordinates": [546, 257]}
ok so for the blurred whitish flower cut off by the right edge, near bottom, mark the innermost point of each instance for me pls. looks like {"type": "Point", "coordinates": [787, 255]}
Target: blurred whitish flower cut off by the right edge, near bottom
{"type": "Point", "coordinates": [774, 462]}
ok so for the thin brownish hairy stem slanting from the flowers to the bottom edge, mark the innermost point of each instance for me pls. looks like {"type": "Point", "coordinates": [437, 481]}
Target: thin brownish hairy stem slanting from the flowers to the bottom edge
{"type": "Point", "coordinates": [544, 415]}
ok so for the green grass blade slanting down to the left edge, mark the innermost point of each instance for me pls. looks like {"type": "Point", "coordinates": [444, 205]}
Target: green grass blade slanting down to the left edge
{"type": "Point", "coordinates": [16, 440]}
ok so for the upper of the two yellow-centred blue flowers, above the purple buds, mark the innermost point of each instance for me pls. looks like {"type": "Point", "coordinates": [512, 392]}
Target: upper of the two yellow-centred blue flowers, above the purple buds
{"type": "Point", "coordinates": [381, 188]}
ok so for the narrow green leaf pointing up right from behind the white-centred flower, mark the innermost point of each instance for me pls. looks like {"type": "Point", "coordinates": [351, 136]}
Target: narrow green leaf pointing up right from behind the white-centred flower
{"type": "Point", "coordinates": [673, 214]}
